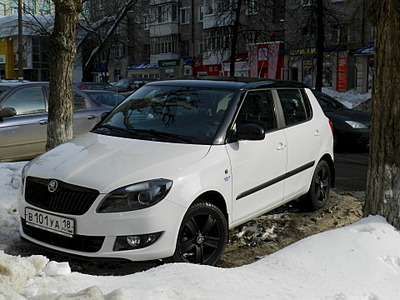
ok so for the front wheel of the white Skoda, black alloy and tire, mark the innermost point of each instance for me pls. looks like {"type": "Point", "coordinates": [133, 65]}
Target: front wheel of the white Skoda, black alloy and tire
{"type": "Point", "coordinates": [202, 236]}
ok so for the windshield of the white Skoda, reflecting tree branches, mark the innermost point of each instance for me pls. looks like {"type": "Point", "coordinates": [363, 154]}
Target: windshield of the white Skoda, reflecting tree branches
{"type": "Point", "coordinates": [165, 113]}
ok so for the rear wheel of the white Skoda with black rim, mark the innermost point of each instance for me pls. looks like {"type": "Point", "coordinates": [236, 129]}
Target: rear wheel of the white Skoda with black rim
{"type": "Point", "coordinates": [318, 194]}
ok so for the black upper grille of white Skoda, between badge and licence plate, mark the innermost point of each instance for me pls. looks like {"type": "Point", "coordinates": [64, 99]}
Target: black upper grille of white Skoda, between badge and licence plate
{"type": "Point", "coordinates": [67, 198]}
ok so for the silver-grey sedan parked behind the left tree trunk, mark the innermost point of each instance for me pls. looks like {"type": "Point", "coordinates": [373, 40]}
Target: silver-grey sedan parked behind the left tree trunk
{"type": "Point", "coordinates": [23, 118]}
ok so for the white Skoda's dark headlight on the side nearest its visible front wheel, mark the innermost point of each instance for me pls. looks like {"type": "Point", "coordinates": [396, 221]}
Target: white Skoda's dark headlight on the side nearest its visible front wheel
{"type": "Point", "coordinates": [135, 196]}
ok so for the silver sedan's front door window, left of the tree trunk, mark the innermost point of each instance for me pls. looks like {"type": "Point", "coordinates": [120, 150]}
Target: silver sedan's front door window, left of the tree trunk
{"type": "Point", "coordinates": [27, 101]}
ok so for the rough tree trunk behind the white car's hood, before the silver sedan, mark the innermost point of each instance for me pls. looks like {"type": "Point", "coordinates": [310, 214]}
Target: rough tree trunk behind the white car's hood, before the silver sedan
{"type": "Point", "coordinates": [62, 59]}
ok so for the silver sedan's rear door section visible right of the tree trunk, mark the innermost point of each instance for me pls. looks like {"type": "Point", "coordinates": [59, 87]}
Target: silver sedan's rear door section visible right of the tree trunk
{"type": "Point", "coordinates": [84, 116]}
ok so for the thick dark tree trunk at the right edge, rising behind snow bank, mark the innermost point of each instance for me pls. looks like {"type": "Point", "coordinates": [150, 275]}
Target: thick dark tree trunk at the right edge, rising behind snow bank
{"type": "Point", "coordinates": [383, 185]}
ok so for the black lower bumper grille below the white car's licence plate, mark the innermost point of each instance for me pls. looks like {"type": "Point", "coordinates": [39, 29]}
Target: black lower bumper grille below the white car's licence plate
{"type": "Point", "coordinates": [77, 242]}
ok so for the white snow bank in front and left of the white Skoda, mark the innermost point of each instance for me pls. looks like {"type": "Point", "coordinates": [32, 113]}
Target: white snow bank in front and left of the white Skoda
{"type": "Point", "coordinates": [356, 262]}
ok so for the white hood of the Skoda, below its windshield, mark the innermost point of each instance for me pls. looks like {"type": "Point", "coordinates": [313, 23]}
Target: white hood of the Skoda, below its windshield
{"type": "Point", "coordinates": [106, 163]}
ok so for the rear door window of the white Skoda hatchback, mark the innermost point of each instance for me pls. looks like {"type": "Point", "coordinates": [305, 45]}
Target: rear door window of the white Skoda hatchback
{"type": "Point", "coordinates": [294, 106]}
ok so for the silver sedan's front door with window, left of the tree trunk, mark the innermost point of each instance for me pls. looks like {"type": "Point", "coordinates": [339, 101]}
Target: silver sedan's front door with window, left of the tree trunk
{"type": "Point", "coordinates": [24, 135]}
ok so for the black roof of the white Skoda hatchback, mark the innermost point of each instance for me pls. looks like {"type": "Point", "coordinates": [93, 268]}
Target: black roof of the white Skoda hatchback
{"type": "Point", "coordinates": [238, 83]}
